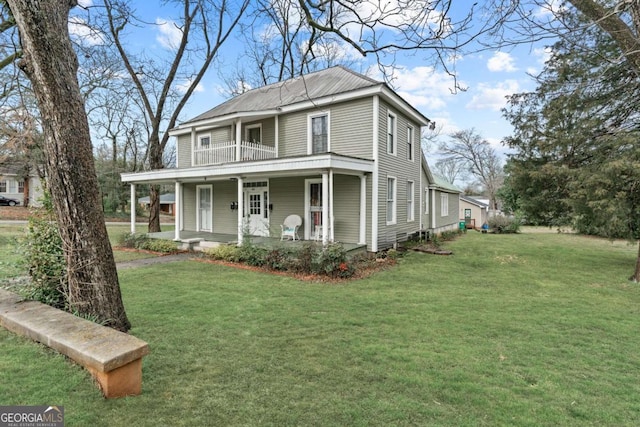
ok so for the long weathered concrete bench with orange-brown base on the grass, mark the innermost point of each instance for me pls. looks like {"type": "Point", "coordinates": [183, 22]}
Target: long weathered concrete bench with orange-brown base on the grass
{"type": "Point", "coordinates": [113, 358]}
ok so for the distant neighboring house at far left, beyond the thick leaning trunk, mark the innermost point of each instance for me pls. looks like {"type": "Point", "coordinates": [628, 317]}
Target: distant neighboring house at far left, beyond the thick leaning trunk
{"type": "Point", "coordinates": [16, 184]}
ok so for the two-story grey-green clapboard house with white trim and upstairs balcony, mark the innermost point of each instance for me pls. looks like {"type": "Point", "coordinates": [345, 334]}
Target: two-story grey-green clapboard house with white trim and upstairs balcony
{"type": "Point", "coordinates": [335, 147]}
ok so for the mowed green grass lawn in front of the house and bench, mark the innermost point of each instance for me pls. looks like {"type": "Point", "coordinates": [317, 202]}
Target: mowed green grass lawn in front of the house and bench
{"type": "Point", "coordinates": [514, 330]}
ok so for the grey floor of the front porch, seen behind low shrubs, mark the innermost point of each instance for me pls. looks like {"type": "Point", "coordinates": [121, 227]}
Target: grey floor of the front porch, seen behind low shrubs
{"type": "Point", "coordinates": [261, 241]}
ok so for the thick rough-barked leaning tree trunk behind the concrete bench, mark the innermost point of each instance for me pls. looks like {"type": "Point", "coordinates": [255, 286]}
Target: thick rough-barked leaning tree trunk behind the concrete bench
{"type": "Point", "coordinates": [51, 64]}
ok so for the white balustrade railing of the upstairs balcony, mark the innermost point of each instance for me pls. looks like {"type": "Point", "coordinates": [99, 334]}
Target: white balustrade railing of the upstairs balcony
{"type": "Point", "coordinates": [226, 152]}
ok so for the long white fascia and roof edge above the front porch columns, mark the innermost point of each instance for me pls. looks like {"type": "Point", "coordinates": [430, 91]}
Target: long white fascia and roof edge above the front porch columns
{"type": "Point", "coordinates": [292, 166]}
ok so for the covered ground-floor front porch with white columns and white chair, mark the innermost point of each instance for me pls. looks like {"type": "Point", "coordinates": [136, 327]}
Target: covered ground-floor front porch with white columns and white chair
{"type": "Point", "coordinates": [328, 191]}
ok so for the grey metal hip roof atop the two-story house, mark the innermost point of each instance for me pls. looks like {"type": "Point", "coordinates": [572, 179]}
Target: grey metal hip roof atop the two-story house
{"type": "Point", "coordinates": [331, 81]}
